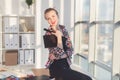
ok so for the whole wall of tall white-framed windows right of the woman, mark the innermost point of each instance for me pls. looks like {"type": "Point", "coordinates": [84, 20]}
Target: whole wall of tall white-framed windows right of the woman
{"type": "Point", "coordinates": [95, 36]}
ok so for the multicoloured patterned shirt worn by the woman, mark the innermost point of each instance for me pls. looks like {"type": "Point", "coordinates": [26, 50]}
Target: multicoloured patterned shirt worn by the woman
{"type": "Point", "coordinates": [59, 52]}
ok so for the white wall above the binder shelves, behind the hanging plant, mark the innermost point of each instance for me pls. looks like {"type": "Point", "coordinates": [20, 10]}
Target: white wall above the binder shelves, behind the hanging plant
{"type": "Point", "coordinates": [14, 7]}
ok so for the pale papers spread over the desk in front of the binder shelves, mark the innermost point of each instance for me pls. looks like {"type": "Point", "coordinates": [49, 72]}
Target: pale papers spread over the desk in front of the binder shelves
{"type": "Point", "coordinates": [18, 70]}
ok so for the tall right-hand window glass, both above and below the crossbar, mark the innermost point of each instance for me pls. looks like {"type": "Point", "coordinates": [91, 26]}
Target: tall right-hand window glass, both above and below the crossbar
{"type": "Point", "coordinates": [104, 30]}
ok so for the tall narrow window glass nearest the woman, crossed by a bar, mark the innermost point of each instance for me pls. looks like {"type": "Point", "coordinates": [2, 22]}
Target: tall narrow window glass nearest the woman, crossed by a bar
{"type": "Point", "coordinates": [81, 26]}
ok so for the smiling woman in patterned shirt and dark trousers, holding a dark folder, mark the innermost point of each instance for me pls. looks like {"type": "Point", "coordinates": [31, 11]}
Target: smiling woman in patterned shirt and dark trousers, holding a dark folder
{"type": "Point", "coordinates": [59, 59]}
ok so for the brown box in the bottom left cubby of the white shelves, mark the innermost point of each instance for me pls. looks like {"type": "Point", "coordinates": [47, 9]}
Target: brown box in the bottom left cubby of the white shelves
{"type": "Point", "coordinates": [11, 58]}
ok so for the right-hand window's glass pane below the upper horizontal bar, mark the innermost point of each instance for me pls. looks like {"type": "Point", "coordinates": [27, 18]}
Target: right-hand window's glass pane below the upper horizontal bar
{"type": "Point", "coordinates": [104, 43]}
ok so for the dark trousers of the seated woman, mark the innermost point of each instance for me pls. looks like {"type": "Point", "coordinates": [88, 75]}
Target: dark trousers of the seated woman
{"type": "Point", "coordinates": [60, 70]}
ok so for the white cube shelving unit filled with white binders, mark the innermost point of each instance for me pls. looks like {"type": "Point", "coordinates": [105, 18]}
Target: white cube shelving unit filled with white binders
{"type": "Point", "coordinates": [18, 35]}
